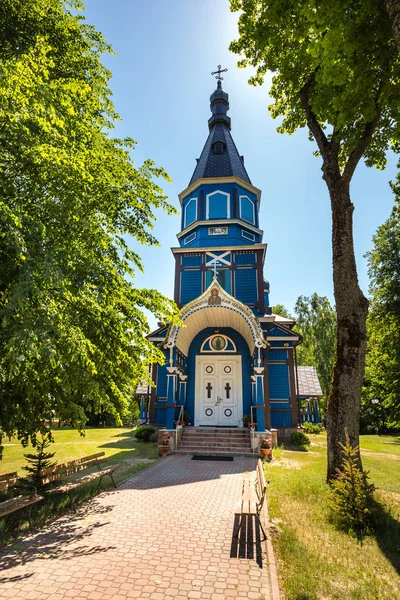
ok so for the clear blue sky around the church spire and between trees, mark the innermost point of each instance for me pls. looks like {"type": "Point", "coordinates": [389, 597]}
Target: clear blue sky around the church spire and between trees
{"type": "Point", "coordinates": [165, 51]}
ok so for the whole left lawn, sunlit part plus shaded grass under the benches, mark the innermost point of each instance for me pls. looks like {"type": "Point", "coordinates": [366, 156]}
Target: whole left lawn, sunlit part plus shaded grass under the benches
{"type": "Point", "coordinates": [119, 445]}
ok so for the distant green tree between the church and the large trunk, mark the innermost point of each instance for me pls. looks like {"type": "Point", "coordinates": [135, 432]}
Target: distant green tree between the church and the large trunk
{"type": "Point", "coordinates": [316, 322]}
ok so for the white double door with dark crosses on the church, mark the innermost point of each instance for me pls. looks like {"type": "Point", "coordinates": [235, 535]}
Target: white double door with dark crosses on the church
{"type": "Point", "coordinates": [218, 399]}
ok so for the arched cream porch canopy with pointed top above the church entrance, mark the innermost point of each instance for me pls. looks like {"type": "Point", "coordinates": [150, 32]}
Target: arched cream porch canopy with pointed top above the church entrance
{"type": "Point", "coordinates": [215, 308]}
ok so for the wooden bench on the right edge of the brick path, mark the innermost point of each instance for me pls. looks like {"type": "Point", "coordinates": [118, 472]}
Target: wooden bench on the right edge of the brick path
{"type": "Point", "coordinates": [252, 498]}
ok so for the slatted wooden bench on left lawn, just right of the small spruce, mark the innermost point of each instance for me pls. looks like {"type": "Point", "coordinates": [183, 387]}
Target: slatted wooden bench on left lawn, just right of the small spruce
{"type": "Point", "coordinates": [60, 471]}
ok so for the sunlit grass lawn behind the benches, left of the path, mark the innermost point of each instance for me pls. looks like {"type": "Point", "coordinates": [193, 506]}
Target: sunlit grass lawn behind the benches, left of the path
{"type": "Point", "coordinates": [119, 445]}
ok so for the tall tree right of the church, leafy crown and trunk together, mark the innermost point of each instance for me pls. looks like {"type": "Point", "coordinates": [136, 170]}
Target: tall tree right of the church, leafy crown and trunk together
{"type": "Point", "coordinates": [335, 70]}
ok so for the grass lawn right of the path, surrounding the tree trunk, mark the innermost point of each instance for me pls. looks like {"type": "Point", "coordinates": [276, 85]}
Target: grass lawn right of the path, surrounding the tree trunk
{"type": "Point", "coordinates": [316, 562]}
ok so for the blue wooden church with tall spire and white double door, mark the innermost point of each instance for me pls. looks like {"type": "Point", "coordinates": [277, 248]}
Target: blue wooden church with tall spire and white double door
{"type": "Point", "coordinates": [232, 357]}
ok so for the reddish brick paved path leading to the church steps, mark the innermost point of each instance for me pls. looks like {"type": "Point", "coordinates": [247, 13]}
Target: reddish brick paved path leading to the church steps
{"type": "Point", "coordinates": [163, 534]}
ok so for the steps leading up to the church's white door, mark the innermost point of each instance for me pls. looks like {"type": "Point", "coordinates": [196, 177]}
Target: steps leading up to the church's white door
{"type": "Point", "coordinates": [214, 440]}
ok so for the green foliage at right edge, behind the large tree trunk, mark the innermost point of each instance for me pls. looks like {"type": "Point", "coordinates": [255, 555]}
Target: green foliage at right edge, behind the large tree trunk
{"type": "Point", "coordinates": [382, 374]}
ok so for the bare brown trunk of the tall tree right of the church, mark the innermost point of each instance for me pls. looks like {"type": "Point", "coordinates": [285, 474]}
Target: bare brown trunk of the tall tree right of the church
{"type": "Point", "coordinates": [351, 309]}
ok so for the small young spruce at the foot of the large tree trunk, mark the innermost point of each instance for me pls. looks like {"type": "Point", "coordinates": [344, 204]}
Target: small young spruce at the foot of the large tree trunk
{"type": "Point", "coordinates": [350, 502]}
